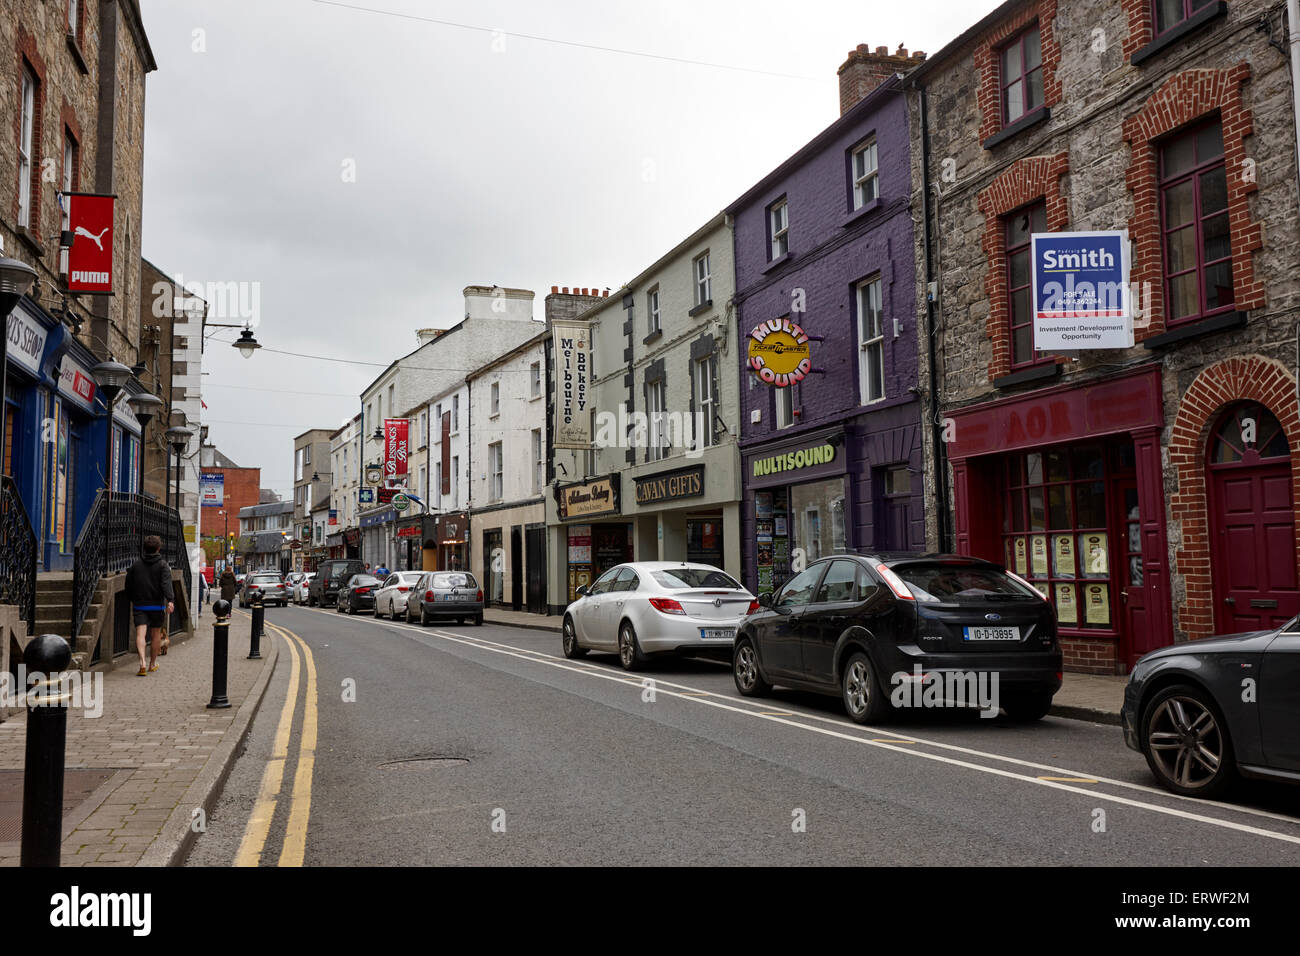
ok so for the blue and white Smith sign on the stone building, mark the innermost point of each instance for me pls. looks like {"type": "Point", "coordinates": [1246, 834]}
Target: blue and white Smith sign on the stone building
{"type": "Point", "coordinates": [1081, 291]}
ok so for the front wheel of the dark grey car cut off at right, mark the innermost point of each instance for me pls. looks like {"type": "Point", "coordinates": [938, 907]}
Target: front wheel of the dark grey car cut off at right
{"type": "Point", "coordinates": [1186, 743]}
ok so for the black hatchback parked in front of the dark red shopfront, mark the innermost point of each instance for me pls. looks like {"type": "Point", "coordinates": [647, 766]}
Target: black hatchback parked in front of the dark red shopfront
{"type": "Point", "coordinates": [892, 630]}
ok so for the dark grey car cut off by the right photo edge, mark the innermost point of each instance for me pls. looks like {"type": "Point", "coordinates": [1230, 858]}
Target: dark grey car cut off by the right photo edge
{"type": "Point", "coordinates": [1206, 712]}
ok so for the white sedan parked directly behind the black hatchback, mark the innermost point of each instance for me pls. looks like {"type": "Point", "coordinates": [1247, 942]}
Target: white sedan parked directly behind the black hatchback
{"type": "Point", "coordinates": [656, 607]}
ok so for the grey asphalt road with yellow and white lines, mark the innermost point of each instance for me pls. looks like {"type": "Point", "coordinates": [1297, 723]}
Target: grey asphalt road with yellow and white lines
{"type": "Point", "coordinates": [577, 763]}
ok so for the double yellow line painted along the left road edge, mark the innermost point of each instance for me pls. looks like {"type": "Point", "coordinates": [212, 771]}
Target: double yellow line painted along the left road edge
{"type": "Point", "coordinates": [253, 846]}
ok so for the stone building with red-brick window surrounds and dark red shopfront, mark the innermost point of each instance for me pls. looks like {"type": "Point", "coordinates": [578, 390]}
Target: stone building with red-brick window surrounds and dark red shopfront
{"type": "Point", "coordinates": [1150, 492]}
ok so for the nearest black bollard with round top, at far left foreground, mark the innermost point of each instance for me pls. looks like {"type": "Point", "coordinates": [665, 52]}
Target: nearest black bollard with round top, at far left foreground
{"type": "Point", "coordinates": [47, 655]}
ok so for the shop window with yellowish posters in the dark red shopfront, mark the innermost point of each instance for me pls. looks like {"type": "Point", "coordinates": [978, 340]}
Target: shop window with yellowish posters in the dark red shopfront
{"type": "Point", "coordinates": [1056, 530]}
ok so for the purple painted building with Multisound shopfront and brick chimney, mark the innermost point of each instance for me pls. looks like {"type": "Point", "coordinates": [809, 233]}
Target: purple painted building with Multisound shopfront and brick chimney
{"type": "Point", "coordinates": [831, 419]}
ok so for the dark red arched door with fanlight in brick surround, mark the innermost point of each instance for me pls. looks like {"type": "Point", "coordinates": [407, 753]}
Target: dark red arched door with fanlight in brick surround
{"type": "Point", "coordinates": [1251, 521]}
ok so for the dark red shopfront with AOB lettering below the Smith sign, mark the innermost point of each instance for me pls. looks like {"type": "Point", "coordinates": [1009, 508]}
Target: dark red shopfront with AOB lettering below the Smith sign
{"type": "Point", "coordinates": [1065, 487]}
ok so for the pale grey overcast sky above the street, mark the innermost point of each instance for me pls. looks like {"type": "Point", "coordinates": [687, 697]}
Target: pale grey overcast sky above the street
{"type": "Point", "coordinates": [354, 171]}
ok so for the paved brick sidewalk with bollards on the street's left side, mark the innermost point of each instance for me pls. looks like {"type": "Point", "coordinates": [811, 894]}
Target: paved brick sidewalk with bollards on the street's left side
{"type": "Point", "coordinates": [136, 775]}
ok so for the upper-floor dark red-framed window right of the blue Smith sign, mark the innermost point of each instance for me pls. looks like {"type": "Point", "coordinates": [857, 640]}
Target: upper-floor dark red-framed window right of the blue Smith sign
{"type": "Point", "coordinates": [1195, 223]}
